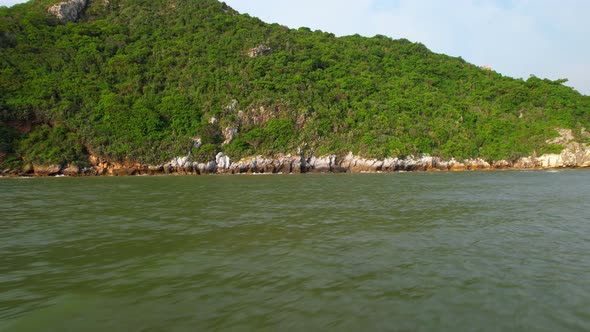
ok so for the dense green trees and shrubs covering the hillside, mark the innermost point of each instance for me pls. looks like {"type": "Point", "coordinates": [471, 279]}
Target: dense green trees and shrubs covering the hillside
{"type": "Point", "coordinates": [138, 80]}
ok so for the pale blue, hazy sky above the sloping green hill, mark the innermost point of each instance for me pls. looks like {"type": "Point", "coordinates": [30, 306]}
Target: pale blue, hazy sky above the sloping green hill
{"type": "Point", "coordinates": [517, 38]}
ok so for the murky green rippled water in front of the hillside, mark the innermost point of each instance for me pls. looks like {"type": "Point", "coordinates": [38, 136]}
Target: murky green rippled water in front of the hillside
{"type": "Point", "coordinates": [470, 251]}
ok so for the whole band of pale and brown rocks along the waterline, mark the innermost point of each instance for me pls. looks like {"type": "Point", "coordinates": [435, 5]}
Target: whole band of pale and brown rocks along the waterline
{"type": "Point", "coordinates": [574, 155]}
